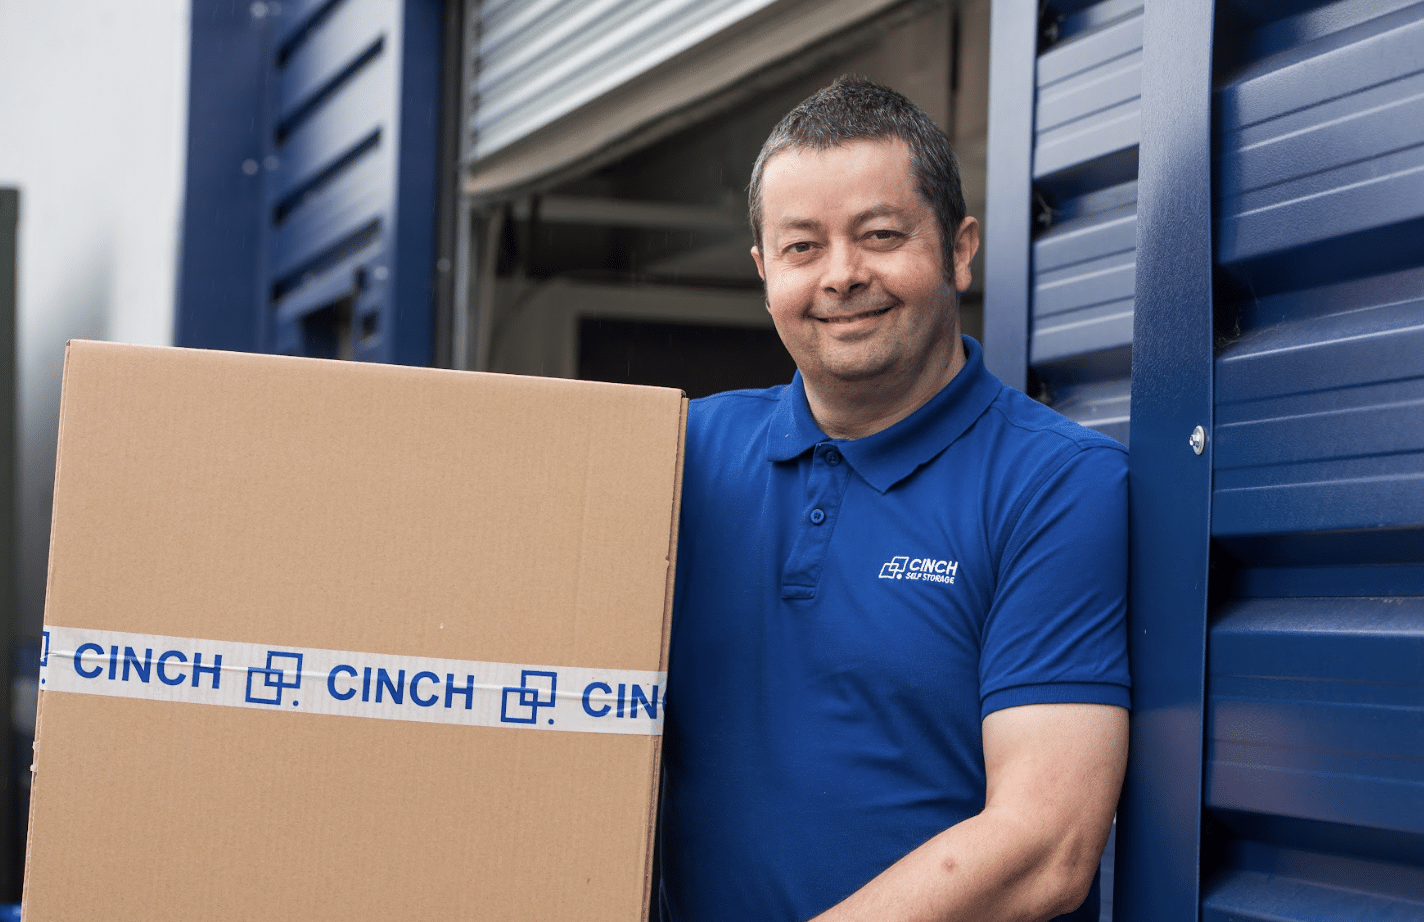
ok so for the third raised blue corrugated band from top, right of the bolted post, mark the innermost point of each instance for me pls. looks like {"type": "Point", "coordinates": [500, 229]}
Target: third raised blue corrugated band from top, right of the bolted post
{"type": "Point", "coordinates": [1318, 712]}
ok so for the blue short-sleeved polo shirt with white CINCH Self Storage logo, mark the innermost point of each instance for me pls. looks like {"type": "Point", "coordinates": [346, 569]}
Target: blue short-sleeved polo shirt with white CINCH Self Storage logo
{"type": "Point", "coordinates": [847, 615]}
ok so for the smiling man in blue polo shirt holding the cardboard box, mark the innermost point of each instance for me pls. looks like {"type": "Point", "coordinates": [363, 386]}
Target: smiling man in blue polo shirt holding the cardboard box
{"type": "Point", "coordinates": [899, 678]}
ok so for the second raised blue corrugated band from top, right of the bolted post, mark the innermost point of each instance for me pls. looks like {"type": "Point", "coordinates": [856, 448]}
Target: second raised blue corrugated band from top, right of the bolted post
{"type": "Point", "coordinates": [1321, 415]}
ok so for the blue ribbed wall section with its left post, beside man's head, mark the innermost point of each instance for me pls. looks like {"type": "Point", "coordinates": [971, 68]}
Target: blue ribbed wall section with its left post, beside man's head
{"type": "Point", "coordinates": [1080, 210]}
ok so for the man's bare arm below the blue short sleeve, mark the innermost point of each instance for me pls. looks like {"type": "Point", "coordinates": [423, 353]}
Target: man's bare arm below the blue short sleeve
{"type": "Point", "coordinates": [1054, 773]}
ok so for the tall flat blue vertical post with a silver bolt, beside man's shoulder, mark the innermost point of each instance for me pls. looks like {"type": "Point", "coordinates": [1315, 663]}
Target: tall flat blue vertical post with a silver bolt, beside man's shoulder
{"type": "Point", "coordinates": [1160, 822]}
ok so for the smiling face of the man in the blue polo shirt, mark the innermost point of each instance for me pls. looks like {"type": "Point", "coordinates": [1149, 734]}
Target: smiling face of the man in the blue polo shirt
{"type": "Point", "coordinates": [854, 269]}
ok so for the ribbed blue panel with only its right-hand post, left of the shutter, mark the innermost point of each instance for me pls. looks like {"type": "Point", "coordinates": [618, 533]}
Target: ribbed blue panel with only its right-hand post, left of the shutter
{"type": "Point", "coordinates": [351, 180]}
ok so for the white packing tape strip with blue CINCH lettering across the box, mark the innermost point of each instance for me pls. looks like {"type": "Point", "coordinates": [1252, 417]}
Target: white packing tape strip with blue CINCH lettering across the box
{"type": "Point", "coordinates": [351, 685]}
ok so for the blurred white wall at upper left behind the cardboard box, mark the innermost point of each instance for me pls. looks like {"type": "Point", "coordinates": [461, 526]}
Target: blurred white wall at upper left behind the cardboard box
{"type": "Point", "coordinates": [93, 118]}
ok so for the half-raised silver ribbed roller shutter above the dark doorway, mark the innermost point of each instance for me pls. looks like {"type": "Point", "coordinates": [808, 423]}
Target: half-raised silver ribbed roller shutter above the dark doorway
{"type": "Point", "coordinates": [555, 86]}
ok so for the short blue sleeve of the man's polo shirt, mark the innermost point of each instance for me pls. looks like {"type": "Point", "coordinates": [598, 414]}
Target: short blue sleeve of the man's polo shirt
{"type": "Point", "coordinates": [1057, 628]}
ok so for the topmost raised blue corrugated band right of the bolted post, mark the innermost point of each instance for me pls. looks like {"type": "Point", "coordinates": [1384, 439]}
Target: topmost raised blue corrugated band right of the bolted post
{"type": "Point", "coordinates": [1324, 140]}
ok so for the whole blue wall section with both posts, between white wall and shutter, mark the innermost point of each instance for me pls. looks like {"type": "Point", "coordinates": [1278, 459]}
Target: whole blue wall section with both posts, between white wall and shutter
{"type": "Point", "coordinates": [314, 152]}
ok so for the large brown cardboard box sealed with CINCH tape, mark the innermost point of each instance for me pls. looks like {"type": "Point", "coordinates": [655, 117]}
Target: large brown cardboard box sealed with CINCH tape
{"type": "Point", "coordinates": [441, 604]}
